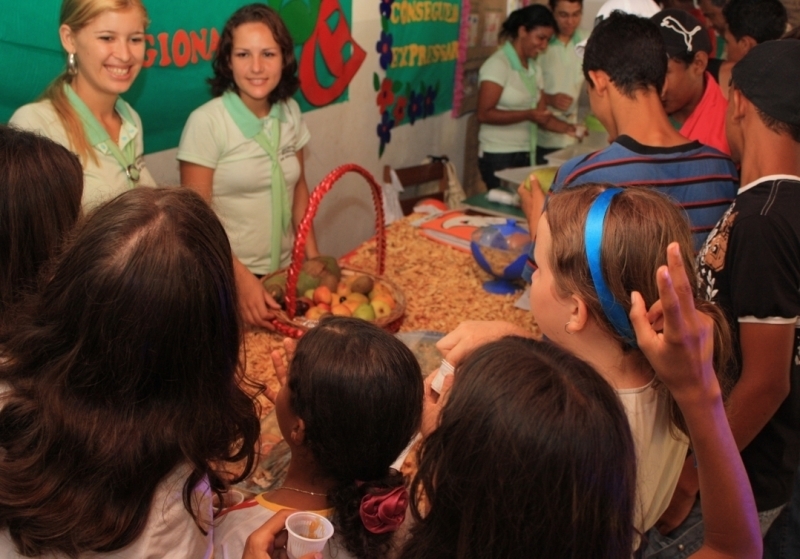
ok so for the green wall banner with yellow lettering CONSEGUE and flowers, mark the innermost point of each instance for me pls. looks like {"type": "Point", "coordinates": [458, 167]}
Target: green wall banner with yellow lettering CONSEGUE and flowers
{"type": "Point", "coordinates": [418, 49]}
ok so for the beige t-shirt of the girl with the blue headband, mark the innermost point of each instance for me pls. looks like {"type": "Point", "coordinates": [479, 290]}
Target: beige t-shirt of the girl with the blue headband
{"type": "Point", "coordinates": [659, 454]}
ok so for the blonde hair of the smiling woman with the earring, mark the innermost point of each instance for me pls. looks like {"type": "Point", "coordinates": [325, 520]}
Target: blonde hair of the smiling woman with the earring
{"type": "Point", "coordinates": [76, 14]}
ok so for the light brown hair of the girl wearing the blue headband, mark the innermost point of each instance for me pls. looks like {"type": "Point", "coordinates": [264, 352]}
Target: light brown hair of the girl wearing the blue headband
{"type": "Point", "coordinates": [639, 226]}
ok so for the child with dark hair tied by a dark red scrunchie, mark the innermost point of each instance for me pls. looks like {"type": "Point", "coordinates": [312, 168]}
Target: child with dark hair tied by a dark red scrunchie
{"type": "Point", "coordinates": [350, 404]}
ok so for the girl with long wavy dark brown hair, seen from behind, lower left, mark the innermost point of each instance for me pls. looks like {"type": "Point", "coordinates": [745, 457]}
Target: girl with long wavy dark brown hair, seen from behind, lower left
{"type": "Point", "coordinates": [121, 400]}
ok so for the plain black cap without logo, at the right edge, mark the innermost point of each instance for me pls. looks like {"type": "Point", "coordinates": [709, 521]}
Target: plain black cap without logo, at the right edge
{"type": "Point", "coordinates": [768, 76]}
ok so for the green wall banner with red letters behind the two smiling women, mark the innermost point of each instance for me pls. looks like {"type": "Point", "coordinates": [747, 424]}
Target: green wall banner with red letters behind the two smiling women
{"type": "Point", "coordinates": [181, 40]}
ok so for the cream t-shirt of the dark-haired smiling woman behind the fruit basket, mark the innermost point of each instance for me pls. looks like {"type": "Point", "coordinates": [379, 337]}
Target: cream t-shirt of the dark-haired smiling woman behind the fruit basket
{"type": "Point", "coordinates": [242, 183]}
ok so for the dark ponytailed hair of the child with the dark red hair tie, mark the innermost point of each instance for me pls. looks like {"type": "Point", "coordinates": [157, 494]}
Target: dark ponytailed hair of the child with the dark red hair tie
{"type": "Point", "coordinates": [348, 381]}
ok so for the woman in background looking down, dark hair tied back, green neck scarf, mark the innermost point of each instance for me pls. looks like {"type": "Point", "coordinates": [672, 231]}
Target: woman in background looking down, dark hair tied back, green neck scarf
{"type": "Point", "coordinates": [511, 102]}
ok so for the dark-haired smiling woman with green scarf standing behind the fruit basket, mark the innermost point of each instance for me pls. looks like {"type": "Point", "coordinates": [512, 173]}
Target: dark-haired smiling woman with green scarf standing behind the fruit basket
{"type": "Point", "coordinates": [242, 152]}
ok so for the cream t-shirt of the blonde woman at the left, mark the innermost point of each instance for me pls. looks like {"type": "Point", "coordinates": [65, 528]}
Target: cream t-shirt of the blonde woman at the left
{"type": "Point", "coordinates": [103, 180]}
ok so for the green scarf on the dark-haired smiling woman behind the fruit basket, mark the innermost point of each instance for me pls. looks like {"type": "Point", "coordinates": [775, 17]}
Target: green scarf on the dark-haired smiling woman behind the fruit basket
{"type": "Point", "coordinates": [252, 127]}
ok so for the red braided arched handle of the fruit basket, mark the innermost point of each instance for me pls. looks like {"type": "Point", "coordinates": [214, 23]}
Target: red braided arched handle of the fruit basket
{"type": "Point", "coordinates": [298, 253]}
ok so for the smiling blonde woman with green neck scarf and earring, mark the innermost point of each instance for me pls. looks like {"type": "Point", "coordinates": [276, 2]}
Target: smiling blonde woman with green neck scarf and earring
{"type": "Point", "coordinates": [82, 109]}
